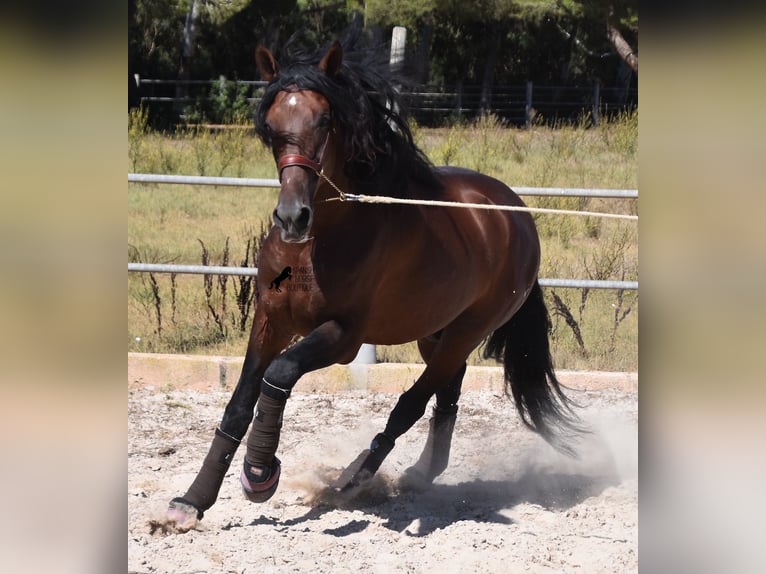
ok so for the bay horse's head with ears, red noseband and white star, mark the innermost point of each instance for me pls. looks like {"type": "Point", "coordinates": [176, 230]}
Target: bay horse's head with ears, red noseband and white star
{"type": "Point", "coordinates": [298, 125]}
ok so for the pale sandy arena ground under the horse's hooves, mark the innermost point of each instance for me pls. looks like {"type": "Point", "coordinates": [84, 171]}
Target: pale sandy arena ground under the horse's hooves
{"type": "Point", "coordinates": [507, 502]}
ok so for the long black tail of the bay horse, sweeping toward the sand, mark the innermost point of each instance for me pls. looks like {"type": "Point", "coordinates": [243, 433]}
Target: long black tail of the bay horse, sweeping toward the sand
{"type": "Point", "coordinates": [521, 344]}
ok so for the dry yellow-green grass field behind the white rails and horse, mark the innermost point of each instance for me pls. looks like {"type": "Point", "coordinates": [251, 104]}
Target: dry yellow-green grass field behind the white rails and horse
{"type": "Point", "coordinates": [592, 330]}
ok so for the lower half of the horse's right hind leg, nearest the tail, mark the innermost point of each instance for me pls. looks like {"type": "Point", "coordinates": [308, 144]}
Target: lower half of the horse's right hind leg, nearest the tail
{"type": "Point", "coordinates": [435, 456]}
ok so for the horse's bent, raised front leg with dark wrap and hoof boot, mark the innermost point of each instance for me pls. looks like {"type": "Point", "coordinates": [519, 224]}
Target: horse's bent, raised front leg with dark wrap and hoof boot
{"type": "Point", "coordinates": [328, 344]}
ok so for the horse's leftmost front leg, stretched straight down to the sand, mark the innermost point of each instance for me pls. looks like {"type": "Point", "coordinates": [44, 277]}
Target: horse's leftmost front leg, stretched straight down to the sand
{"type": "Point", "coordinates": [264, 344]}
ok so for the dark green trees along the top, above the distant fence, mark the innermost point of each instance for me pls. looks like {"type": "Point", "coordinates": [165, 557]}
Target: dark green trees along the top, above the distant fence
{"type": "Point", "coordinates": [555, 42]}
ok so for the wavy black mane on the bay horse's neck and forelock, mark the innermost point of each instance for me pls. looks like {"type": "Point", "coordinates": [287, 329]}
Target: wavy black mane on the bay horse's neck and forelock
{"type": "Point", "coordinates": [381, 156]}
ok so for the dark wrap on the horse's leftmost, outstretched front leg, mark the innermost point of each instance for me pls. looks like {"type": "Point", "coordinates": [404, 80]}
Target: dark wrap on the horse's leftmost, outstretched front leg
{"type": "Point", "coordinates": [203, 492]}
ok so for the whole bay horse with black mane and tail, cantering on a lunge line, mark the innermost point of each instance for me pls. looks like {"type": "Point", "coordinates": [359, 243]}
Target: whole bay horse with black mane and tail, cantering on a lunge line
{"type": "Point", "coordinates": [445, 277]}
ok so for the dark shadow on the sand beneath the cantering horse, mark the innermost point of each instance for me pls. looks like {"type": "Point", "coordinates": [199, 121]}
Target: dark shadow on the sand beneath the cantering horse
{"type": "Point", "coordinates": [439, 505]}
